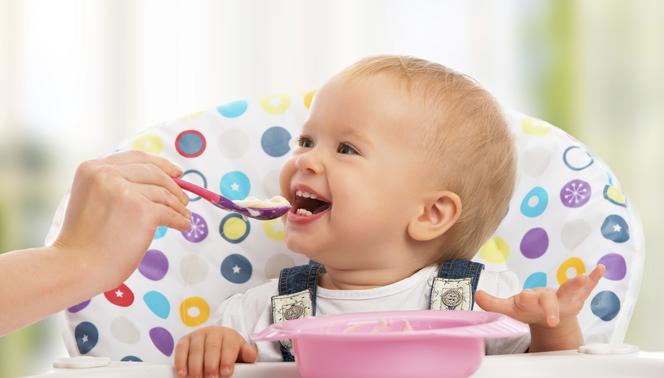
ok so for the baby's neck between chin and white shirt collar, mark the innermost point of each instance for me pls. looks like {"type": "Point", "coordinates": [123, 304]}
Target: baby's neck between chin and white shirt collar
{"type": "Point", "coordinates": [337, 279]}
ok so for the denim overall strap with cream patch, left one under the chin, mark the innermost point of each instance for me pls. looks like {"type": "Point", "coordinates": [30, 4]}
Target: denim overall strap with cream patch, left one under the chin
{"type": "Point", "coordinates": [296, 299]}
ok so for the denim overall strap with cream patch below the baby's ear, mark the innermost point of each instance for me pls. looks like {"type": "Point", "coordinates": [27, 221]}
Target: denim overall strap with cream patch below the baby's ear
{"type": "Point", "coordinates": [454, 287]}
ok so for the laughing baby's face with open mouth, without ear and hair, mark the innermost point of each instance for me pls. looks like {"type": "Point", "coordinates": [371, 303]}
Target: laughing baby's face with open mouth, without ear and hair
{"type": "Point", "coordinates": [361, 165]}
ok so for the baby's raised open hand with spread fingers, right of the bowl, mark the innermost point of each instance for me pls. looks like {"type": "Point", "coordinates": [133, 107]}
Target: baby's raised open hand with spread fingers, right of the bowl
{"type": "Point", "coordinates": [545, 307]}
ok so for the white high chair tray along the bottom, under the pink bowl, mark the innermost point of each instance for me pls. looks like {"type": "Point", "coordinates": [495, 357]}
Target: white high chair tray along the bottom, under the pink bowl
{"type": "Point", "coordinates": [551, 364]}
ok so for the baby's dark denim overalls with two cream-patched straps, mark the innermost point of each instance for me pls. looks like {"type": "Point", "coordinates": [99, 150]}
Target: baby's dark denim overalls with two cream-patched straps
{"type": "Point", "coordinates": [452, 289]}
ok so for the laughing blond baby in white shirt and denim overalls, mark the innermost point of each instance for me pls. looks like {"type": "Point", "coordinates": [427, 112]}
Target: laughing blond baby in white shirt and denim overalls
{"type": "Point", "coordinates": [404, 168]}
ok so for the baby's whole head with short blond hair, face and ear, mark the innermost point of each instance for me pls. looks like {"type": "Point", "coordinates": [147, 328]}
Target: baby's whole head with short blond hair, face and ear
{"type": "Point", "coordinates": [401, 162]}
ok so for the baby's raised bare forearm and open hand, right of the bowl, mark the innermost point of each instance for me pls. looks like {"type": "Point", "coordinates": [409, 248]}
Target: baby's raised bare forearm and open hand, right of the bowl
{"type": "Point", "coordinates": [550, 313]}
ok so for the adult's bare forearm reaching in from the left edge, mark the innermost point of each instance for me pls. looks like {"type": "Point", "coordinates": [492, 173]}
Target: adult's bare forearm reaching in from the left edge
{"type": "Point", "coordinates": [35, 283]}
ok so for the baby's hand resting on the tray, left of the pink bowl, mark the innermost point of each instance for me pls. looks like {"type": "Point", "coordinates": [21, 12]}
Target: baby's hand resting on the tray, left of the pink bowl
{"type": "Point", "coordinates": [211, 352]}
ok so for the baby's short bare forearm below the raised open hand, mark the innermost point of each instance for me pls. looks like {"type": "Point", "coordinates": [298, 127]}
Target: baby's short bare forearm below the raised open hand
{"type": "Point", "coordinates": [566, 335]}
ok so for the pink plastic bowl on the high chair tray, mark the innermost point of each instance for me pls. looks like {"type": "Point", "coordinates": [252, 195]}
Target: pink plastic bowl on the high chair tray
{"type": "Point", "coordinates": [392, 344]}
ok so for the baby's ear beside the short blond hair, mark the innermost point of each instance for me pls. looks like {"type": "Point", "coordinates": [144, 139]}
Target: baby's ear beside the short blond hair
{"type": "Point", "coordinates": [437, 214]}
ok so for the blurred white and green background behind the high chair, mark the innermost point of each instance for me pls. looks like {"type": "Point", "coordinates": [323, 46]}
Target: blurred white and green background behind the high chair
{"type": "Point", "coordinates": [79, 76]}
